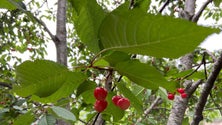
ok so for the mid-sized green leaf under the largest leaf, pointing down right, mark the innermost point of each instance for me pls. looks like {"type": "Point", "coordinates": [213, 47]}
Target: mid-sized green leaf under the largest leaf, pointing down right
{"type": "Point", "coordinates": [143, 75]}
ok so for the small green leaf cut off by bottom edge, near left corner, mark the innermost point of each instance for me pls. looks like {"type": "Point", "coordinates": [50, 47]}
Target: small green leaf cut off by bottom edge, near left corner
{"type": "Point", "coordinates": [24, 119]}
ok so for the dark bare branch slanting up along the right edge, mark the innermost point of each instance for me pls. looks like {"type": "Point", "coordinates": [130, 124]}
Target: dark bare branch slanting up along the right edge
{"type": "Point", "coordinates": [198, 116]}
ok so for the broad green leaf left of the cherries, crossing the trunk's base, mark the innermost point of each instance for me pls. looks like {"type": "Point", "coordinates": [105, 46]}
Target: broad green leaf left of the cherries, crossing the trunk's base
{"type": "Point", "coordinates": [46, 81]}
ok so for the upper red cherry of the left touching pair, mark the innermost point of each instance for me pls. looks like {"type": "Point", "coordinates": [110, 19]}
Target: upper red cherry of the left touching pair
{"type": "Point", "coordinates": [100, 93]}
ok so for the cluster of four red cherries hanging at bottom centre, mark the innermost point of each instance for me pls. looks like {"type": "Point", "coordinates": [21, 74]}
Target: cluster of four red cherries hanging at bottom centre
{"type": "Point", "coordinates": [101, 103]}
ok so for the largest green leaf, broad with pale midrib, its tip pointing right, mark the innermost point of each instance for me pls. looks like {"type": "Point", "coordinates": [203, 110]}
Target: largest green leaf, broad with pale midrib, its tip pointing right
{"type": "Point", "coordinates": [134, 31]}
